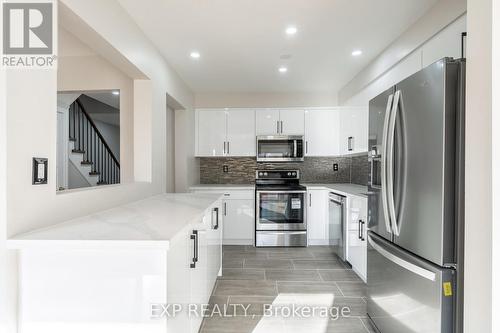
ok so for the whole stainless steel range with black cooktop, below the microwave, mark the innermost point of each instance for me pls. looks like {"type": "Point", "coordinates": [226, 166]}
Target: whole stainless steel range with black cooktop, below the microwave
{"type": "Point", "coordinates": [280, 200]}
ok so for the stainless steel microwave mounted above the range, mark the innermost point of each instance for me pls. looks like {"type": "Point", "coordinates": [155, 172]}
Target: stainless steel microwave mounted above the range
{"type": "Point", "coordinates": [280, 148]}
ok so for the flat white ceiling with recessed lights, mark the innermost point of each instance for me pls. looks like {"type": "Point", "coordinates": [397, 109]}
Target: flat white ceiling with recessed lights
{"type": "Point", "coordinates": [241, 41]}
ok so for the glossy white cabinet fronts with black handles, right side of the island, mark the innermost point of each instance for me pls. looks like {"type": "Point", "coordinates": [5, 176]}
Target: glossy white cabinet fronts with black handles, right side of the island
{"type": "Point", "coordinates": [194, 261]}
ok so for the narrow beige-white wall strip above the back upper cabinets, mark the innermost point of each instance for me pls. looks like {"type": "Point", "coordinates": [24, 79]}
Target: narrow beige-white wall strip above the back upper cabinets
{"type": "Point", "coordinates": [256, 100]}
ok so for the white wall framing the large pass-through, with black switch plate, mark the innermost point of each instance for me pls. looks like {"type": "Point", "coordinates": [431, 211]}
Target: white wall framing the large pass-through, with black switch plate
{"type": "Point", "coordinates": [31, 131]}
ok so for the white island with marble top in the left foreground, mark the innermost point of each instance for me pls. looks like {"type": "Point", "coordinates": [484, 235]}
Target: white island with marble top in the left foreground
{"type": "Point", "coordinates": [114, 271]}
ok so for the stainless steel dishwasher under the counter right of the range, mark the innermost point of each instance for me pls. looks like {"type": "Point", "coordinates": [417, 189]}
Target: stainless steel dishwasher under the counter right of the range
{"type": "Point", "coordinates": [336, 224]}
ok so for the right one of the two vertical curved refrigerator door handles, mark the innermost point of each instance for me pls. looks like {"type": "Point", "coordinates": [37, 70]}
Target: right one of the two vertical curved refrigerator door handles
{"type": "Point", "coordinates": [390, 162]}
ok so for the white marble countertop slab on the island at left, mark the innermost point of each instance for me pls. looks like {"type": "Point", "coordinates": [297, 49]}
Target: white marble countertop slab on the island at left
{"type": "Point", "coordinates": [148, 223]}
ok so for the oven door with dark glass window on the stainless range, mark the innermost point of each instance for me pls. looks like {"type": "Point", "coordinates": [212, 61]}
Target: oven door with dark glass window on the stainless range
{"type": "Point", "coordinates": [280, 210]}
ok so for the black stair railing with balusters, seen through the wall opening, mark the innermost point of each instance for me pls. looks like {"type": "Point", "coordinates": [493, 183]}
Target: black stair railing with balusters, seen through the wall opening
{"type": "Point", "coordinates": [90, 143]}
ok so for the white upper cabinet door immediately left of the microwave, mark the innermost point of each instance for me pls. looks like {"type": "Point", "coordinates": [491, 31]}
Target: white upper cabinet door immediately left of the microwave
{"type": "Point", "coordinates": [241, 133]}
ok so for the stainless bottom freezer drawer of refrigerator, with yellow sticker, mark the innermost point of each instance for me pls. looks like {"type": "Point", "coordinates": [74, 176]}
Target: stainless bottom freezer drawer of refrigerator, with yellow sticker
{"type": "Point", "coordinates": [407, 294]}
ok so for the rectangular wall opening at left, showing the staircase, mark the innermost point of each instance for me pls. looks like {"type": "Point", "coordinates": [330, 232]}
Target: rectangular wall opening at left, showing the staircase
{"type": "Point", "coordinates": [88, 138]}
